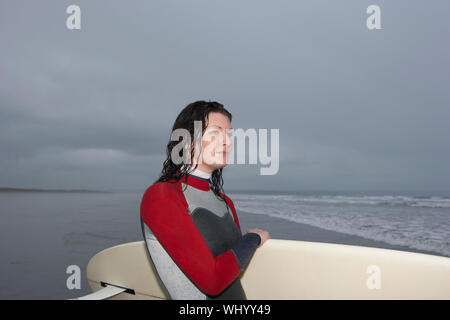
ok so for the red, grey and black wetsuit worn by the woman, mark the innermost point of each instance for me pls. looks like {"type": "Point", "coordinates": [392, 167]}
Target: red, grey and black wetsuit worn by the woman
{"type": "Point", "coordinates": [194, 241]}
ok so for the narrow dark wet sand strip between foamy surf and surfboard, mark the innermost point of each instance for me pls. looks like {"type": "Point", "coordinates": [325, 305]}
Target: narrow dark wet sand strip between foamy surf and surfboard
{"type": "Point", "coordinates": [279, 228]}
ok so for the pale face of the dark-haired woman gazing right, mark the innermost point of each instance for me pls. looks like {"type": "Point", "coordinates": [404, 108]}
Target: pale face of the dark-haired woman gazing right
{"type": "Point", "coordinates": [216, 143]}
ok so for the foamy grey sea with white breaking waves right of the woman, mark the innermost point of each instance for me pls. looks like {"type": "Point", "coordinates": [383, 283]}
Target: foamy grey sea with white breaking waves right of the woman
{"type": "Point", "coordinates": [417, 222]}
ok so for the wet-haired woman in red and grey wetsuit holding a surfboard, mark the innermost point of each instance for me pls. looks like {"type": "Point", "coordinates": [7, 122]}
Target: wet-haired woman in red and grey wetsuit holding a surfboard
{"type": "Point", "coordinates": [190, 226]}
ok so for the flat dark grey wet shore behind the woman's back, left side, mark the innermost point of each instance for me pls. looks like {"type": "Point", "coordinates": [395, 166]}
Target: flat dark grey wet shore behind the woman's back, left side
{"type": "Point", "coordinates": [43, 233]}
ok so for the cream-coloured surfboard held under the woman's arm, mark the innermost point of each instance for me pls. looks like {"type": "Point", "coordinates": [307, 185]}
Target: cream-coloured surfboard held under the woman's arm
{"type": "Point", "coordinates": [288, 269]}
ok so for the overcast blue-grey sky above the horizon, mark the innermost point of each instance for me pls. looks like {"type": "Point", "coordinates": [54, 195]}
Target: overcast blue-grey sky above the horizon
{"type": "Point", "coordinates": [358, 109]}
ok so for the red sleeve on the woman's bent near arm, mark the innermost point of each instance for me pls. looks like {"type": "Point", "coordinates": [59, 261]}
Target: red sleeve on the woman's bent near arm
{"type": "Point", "coordinates": [165, 211]}
